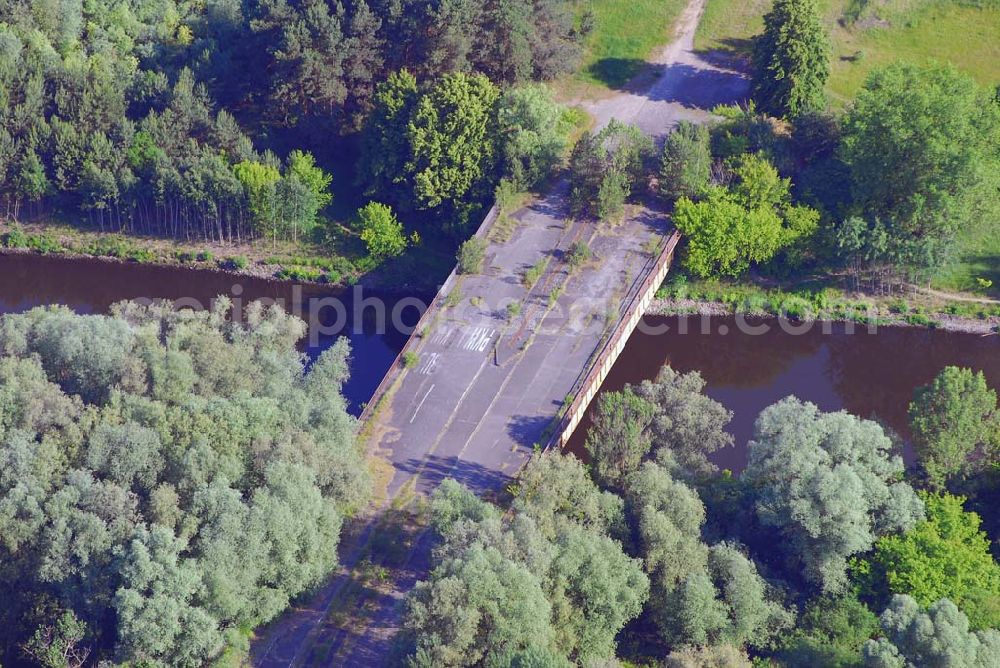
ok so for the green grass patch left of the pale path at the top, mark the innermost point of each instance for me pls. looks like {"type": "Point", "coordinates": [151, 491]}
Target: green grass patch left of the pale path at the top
{"type": "Point", "coordinates": [624, 37]}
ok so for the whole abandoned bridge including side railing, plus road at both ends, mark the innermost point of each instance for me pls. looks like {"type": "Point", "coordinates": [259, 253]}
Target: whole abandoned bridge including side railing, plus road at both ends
{"type": "Point", "coordinates": [506, 360]}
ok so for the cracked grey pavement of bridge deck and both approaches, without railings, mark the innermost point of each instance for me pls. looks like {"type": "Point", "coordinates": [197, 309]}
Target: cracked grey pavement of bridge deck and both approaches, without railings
{"type": "Point", "coordinates": [487, 383]}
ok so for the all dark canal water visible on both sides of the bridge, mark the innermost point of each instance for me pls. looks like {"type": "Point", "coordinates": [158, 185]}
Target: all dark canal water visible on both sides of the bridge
{"type": "Point", "coordinates": [869, 374]}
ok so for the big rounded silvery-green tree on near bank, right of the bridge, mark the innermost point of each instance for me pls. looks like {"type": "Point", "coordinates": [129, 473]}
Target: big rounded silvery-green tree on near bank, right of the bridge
{"type": "Point", "coordinates": [830, 483]}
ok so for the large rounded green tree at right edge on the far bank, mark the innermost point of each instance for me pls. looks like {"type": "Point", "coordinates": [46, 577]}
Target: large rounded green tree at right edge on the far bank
{"type": "Point", "coordinates": [921, 142]}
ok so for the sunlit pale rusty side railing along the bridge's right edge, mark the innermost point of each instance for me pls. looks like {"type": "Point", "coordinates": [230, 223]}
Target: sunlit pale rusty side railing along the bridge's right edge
{"type": "Point", "coordinates": [590, 382]}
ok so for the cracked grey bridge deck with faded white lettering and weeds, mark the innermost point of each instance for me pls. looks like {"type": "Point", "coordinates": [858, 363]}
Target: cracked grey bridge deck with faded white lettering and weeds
{"type": "Point", "coordinates": [488, 386]}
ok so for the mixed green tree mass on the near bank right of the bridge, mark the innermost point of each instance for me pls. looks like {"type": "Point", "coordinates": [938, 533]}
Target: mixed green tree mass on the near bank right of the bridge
{"type": "Point", "coordinates": [823, 552]}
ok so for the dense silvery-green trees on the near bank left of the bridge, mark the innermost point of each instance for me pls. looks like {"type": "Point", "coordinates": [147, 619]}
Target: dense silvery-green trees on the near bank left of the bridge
{"type": "Point", "coordinates": [168, 480]}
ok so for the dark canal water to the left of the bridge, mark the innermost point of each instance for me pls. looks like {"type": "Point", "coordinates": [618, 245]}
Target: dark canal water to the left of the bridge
{"type": "Point", "coordinates": [92, 286]}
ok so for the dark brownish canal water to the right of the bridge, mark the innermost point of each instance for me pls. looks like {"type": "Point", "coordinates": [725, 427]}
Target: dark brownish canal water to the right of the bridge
{"type": "Point", "coordinates": [872, 375]}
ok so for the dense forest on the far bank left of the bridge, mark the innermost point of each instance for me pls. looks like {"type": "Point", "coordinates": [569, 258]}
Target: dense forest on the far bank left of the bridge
{"type": "Point", "coordinates": [216, 120]}
